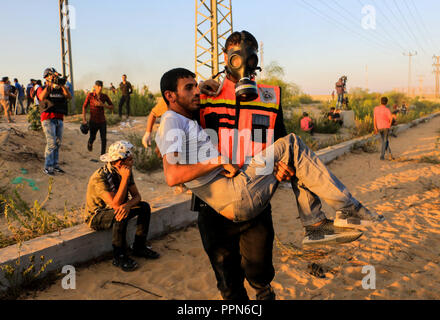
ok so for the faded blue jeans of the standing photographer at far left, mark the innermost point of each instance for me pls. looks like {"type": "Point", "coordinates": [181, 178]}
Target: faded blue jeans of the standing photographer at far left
{"type": "Point", "coordinates": [53, 129]}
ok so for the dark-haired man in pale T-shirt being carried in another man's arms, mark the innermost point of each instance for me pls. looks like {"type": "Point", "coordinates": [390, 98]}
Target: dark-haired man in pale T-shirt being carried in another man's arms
{"type": "Point", "coordinates": [189, 157]}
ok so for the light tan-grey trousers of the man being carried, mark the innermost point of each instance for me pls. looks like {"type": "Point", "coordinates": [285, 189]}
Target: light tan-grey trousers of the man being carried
{"type": "Point", "coordinates": [250, 192]}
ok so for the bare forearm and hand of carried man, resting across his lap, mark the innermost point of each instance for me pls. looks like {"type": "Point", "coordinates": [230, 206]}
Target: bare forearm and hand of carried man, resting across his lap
{"type": "Point", "coordinates": [176, 174]}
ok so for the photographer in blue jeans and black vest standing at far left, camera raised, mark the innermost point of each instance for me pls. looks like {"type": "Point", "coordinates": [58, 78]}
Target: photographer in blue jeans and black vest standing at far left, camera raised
{"type": "Point", "coordinates": [53, 99]}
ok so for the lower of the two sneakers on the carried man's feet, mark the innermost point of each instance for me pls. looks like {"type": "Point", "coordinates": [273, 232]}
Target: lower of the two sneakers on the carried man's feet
{"type": "Point", "coordinates": [327, 234]}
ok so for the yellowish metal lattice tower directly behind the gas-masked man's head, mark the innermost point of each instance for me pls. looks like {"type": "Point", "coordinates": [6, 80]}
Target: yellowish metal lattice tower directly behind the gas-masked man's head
{"type": "Point", "coordinates": [213, 26]}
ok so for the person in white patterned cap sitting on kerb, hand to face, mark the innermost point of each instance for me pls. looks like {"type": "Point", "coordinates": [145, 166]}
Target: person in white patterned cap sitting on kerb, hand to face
{"type": "Point", "coordinates": [108, 205]}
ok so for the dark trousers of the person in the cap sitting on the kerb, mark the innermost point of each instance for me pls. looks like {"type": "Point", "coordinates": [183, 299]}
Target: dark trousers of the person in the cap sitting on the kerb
{"type": "Point", "coordinates": [105, 220]}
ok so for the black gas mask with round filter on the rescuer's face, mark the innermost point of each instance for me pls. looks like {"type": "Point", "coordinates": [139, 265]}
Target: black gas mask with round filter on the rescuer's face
{"type": "Point", "coordinates": [241, 64]}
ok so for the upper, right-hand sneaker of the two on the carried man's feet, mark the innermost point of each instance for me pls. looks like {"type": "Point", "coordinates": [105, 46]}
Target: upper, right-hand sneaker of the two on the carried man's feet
{"type": "Point", "coordinates": [359, 217]}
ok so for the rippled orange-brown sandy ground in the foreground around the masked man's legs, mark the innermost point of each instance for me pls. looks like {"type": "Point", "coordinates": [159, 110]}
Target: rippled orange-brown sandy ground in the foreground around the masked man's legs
{"type": "Point", "coordinates": [405, 250]}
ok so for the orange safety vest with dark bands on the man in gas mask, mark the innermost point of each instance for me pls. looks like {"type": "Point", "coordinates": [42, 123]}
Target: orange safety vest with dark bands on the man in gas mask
{"type": "Point", "coordinates": [243, 128]}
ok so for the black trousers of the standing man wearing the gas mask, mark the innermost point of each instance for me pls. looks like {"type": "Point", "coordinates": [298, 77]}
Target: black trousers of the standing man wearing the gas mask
{"type": "Point", "coordinates": [238, 251]}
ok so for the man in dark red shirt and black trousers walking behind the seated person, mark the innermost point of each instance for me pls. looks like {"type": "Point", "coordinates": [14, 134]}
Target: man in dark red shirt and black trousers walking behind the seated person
{"type": "Point", "coordinates": [97, 101]}
